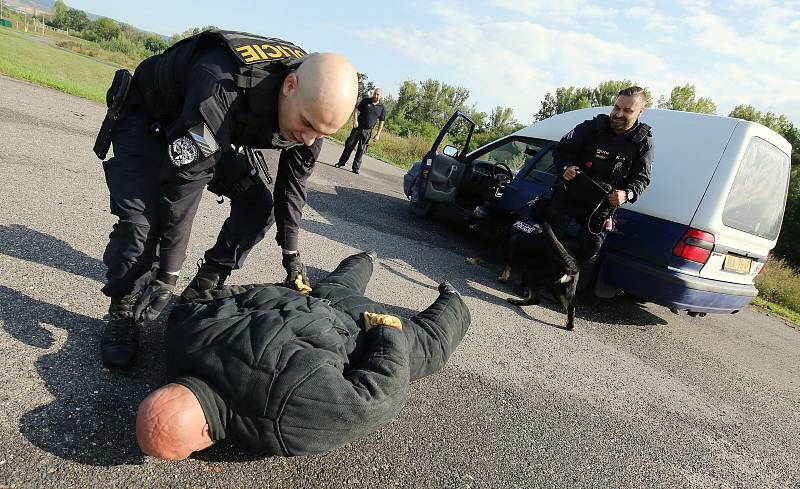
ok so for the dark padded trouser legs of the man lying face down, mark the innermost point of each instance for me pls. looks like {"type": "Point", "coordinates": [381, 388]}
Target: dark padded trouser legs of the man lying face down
{"type": "Point", "coordinates": [432, 335]}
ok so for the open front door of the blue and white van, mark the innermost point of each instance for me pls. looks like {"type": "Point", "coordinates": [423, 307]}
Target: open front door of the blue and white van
{"type": "Point", "coordinates": [441, 171]}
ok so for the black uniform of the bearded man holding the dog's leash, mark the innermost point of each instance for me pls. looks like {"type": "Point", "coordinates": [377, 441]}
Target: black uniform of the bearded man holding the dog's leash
{"type": "Point", "coordinates": [623, 162]}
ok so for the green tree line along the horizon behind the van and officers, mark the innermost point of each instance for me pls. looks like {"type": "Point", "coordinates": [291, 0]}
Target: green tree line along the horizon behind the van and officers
{"type": "Point", "coordinates": [421, 108]}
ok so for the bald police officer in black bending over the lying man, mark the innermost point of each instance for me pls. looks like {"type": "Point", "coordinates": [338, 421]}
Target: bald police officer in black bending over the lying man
{"type": "Point", "coordinates": [186, 119]}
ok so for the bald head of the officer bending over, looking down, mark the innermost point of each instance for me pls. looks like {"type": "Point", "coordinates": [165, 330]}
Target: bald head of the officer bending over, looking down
{"type": "Point", "coordinates": [317, 99]}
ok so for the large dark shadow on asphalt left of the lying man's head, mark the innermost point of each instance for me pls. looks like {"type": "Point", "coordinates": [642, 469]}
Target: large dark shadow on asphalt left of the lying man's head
{"type": "Point", "coordinates": [90, 419]}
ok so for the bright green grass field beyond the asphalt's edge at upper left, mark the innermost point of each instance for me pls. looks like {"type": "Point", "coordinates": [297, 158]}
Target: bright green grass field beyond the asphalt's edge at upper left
{"type": "Point", "coordinates": [34, 58]}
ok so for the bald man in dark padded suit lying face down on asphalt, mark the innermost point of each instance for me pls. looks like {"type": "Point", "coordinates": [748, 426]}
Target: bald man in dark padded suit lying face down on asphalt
{"type": "Point", "coordinates": [291, 374]}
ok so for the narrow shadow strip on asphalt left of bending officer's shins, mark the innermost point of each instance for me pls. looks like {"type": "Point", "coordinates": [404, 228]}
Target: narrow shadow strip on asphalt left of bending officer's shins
{"type": "Point", "coordinates": [28, 244]}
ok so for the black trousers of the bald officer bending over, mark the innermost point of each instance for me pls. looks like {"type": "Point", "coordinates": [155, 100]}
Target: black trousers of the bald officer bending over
{"type": "Point", "coordinates": [132, 176]}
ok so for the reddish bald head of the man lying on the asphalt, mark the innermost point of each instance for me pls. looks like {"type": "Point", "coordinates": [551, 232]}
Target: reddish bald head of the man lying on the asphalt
{"type": "Point", "coordinates": [170, 423]}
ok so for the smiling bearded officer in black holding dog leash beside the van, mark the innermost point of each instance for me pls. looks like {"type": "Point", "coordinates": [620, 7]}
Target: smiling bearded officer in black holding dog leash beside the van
{"type": "Point", "coordinates": [616, 151]}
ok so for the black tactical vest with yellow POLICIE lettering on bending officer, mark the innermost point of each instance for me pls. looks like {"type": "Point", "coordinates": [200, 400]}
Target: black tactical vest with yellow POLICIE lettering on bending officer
{"type": "Point", "coordinates": [259, 59]}
